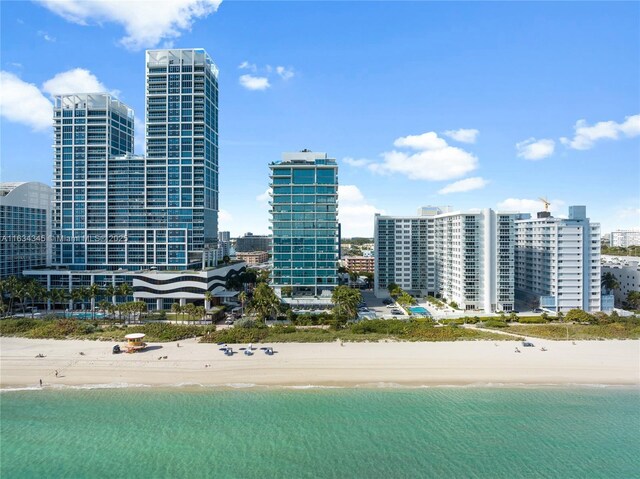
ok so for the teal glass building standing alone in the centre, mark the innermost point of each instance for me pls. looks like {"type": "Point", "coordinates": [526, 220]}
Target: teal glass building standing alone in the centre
{"type": "Point", "coordinates": [305, 223]}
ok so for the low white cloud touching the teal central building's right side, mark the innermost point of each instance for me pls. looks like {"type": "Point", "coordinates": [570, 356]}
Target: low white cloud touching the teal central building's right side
{"type": "Point", "coordinates": [355, 213]}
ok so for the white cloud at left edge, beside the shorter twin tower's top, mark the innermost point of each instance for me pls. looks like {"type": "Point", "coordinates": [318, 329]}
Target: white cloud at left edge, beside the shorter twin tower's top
{"type": "Point", "coordinates": [22, 102]}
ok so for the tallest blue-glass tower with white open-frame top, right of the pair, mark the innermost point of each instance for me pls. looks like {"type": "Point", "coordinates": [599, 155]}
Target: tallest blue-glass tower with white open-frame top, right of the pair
{"type": "Point", "coordinates": [181, 164]}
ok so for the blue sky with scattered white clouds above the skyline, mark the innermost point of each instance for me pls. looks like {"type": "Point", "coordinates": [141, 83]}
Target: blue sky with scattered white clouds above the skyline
{"type": "Point", "coordinates": [472, 105]}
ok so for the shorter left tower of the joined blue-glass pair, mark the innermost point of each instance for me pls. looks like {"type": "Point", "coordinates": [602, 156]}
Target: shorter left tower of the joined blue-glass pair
{"type": "Point", "coordinates": [89, 130]}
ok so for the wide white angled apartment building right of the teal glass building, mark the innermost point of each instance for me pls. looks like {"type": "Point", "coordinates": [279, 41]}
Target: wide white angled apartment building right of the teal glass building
{"type": "Point", "coordinates": [466, 257]}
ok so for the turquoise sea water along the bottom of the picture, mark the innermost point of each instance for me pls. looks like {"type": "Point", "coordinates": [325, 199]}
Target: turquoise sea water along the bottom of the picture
{"type": "Point", "coordinates": [324, 433]}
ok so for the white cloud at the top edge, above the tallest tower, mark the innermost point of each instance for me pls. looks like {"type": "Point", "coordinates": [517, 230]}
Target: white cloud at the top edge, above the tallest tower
{"type": "Point", "coordinates": [146, 23]}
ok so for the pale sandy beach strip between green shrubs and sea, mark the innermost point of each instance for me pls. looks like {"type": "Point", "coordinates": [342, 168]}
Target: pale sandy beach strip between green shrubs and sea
{"type": "Point", "coordinates": [298, 364]}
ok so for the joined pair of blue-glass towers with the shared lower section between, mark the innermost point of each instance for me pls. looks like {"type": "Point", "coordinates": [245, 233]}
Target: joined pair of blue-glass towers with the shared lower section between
{"type": "Point", "coordinates": [116, 214]}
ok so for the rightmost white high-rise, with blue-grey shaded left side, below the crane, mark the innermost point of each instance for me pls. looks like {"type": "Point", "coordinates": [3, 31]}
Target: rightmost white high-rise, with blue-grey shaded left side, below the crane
{"type": "Point", "coordinates": [558, 261]}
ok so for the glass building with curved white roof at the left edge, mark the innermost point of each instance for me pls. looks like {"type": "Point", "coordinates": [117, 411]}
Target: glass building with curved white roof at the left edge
{"type": "Point", "coordinates": [25, 227]}
